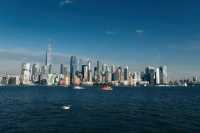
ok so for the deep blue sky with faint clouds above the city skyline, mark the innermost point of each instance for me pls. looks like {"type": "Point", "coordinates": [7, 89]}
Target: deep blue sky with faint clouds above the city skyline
{"type": "Point", "coordinates": [137, 33]}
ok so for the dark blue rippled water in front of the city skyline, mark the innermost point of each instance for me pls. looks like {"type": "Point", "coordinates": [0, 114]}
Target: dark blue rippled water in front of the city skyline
{"type": "Point", "coordinates": [124, 110]}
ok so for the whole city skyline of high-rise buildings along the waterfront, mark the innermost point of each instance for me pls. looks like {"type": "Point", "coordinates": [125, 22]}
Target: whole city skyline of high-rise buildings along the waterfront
{"type": "Point", "coordinates": [87, 74]}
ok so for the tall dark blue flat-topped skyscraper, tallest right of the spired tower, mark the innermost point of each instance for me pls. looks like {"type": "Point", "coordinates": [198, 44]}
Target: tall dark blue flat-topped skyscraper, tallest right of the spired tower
{"type": "Point", "coordinates": [73, 68]}
